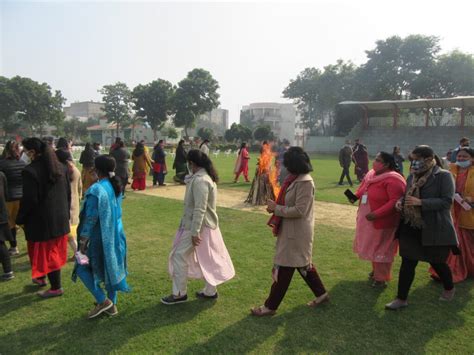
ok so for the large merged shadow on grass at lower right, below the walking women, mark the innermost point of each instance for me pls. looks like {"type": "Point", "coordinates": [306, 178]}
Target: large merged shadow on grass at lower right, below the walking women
{"type": "Point", "coordinates": [354, 321]}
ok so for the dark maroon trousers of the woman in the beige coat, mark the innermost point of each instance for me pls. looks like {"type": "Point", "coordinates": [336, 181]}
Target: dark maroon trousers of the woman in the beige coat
{"type": "Point", "coordinates": [285, 274]}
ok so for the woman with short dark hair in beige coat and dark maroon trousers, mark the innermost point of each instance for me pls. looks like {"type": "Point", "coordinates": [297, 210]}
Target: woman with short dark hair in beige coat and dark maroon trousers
{"type": "Point", "coordinates": [293, 225]}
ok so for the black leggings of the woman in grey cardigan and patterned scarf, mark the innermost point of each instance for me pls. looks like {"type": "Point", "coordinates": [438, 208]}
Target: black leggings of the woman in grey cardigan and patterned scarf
{"type": "Point", "coordinates": [407, 275]}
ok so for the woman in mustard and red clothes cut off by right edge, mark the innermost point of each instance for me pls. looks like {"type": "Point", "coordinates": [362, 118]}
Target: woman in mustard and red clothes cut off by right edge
{"type": "Point", "coordinates": [462, 266]}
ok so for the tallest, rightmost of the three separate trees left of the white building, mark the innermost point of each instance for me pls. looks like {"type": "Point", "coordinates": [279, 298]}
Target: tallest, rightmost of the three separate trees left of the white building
{"type": "Point", "coordinates": [195, 95]}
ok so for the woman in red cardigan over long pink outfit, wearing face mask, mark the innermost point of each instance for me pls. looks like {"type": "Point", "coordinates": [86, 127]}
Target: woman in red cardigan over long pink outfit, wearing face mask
{"type": "Point", "coordinates": [377, 219]}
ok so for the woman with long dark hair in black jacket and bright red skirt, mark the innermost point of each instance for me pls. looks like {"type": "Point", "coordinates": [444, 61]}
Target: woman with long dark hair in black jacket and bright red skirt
{"type": "Point", "coordinates": [44, 213]}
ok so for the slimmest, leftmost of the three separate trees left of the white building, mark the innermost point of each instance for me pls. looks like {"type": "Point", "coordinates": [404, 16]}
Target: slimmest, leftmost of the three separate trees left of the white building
{"type": "Point", "coordinates": [117, 104]}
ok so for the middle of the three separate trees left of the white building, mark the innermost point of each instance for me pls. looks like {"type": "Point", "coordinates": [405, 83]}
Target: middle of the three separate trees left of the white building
{"type": "Point", "coordinates": [154, 103]}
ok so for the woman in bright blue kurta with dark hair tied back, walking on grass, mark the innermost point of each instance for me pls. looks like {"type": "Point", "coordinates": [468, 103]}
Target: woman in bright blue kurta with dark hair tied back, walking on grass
{"type": "Point", "coordinates": [102, 240]}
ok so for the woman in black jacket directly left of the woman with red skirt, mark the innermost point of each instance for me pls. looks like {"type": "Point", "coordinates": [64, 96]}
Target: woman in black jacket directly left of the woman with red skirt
{"type": "Point", "coordinates": [12, 166]}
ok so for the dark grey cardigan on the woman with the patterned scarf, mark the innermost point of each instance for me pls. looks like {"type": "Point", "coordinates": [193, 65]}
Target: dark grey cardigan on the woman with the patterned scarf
{"type": "Point", "coordinates": [437, 196]}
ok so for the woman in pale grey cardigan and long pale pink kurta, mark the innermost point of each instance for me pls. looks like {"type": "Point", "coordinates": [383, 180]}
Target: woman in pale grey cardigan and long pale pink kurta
{"type": "Point", "coordinates": [198, 250]}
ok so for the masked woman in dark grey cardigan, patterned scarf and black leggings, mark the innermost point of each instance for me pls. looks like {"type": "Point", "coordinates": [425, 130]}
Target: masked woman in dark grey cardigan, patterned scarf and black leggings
{"type": "Point", "coordinates": [426, 232]}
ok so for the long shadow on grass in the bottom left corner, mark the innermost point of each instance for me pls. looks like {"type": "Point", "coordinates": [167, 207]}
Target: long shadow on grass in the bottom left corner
{"type": "Point", "coordinates": [99, 334]}
